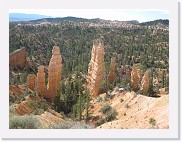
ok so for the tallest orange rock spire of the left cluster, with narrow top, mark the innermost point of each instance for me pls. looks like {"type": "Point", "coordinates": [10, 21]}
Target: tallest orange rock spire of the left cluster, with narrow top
{"type": "Point", "coordinates": [54, 73]}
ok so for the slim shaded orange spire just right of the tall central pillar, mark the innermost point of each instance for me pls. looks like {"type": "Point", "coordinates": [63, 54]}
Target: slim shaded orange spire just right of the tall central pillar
{"type": "Point", "coordinates": [112, 72]}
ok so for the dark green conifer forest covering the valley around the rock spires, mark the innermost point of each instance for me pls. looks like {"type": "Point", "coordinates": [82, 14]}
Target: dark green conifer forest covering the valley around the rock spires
{"type": "Point", "coordinates": [145, 45]}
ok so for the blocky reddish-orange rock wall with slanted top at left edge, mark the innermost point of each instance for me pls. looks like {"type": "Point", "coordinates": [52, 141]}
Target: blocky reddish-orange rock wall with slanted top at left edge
{"type": "Point", "coordinates": [18, 58]}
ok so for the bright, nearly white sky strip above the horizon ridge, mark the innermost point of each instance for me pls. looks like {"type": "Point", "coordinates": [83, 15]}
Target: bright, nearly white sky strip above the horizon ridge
{"type": "Point", "coordinates": [142, 15]}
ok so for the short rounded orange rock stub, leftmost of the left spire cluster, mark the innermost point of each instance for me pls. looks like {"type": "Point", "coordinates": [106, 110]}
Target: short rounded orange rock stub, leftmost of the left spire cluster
{"type": "Point", "coordinates": [31, 81]}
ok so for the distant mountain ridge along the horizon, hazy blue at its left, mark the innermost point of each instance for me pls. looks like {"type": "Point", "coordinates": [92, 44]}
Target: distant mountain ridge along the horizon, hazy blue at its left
{"type": "Point", "coordinates": [37, 19]}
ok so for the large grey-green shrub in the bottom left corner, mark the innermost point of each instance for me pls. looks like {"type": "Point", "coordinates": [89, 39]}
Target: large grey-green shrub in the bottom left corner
{"type": "Point", "coordinates": [23, 122]}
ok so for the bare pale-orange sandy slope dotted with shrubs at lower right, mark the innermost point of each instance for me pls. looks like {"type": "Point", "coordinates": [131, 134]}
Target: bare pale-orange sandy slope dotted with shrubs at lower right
{"type": "Point", "coordinates": [134, 112]}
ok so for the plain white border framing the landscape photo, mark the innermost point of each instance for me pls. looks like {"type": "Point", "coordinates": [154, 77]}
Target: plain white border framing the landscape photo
{"type": "Point", "coordinates": [171, 133]}
